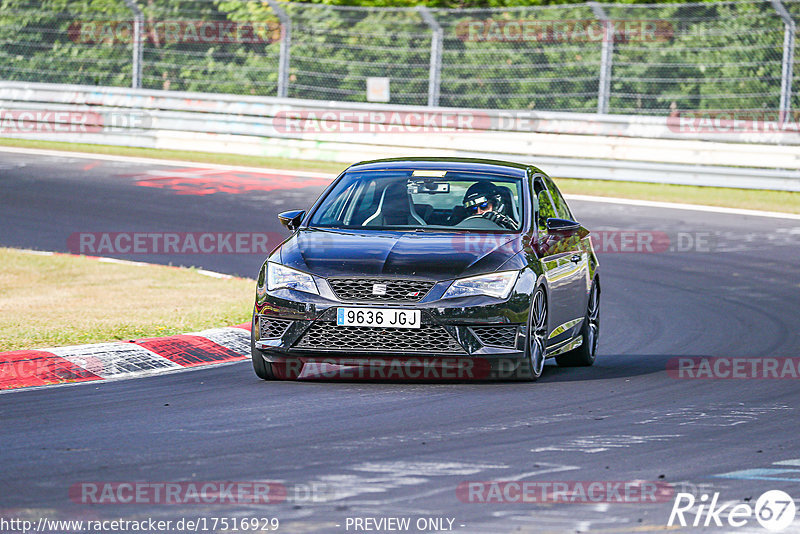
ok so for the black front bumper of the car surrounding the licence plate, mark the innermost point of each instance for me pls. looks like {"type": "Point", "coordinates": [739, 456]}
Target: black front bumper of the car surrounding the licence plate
{"type": "Point", "coordinates": [481, 333]}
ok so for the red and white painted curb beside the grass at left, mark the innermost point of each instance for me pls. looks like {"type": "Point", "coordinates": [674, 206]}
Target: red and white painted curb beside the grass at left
{"type": "Point", "coordinates": [128, 359]}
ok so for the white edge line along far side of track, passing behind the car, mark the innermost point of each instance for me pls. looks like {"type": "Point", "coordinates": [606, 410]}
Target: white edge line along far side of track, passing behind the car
{"type": "Point", "coordinates": [586, 198]}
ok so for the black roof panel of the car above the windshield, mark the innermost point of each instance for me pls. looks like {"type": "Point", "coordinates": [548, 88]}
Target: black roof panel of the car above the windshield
{"type": "Point", "coordinates": [490, 166]}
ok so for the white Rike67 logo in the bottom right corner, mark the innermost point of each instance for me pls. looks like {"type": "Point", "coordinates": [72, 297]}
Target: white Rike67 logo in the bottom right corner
{"type": "Point", "coordinates": [774, 510]}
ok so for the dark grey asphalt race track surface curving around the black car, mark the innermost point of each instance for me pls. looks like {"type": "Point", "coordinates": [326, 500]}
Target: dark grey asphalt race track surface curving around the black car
{"type": "Point", "coordinates": [375, 450]}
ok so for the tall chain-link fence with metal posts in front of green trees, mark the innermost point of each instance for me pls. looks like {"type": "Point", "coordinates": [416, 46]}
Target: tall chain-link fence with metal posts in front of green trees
{"type": "Point", "coordinates": [616, 58]}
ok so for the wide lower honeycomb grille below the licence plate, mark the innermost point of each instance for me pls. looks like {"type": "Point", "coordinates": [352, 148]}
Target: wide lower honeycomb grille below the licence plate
{"type": "Point", "coordinates": [427, 338]}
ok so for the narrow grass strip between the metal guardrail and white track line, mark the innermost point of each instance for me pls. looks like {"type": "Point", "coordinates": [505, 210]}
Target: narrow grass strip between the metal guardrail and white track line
{"type": "Point", "coordinates": [756, 199]}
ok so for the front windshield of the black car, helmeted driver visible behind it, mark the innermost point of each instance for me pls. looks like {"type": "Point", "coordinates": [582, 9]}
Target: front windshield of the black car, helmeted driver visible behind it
{"type": "Point", "coordinates": [422, 199]}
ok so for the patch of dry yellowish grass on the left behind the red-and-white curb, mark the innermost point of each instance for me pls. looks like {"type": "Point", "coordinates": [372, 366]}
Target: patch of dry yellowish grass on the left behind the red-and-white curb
{"type": "Point", "coordinates": [49, 301]}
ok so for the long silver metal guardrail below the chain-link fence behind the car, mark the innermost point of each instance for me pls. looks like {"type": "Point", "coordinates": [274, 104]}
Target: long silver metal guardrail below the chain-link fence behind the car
{"type": "Point", "coordinates": [570, 145]}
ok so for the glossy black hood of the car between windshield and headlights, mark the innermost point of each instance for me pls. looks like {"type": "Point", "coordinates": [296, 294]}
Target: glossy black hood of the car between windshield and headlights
{"type": "Point", "coordinates": [427, 255]}
